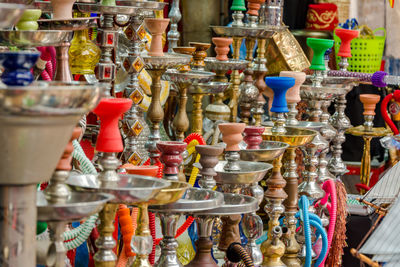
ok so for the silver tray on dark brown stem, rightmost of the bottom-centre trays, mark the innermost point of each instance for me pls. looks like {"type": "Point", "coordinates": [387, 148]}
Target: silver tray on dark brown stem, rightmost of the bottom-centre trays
{"type": "Point", "coordinates": [234, 204]}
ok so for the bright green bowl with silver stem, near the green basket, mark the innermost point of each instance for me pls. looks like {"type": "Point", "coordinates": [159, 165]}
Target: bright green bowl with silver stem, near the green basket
{"type": "Point", "coordinates": [319, 47]}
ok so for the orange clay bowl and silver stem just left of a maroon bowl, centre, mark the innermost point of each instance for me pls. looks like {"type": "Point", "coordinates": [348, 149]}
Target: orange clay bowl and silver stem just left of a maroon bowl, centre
{"type": "Point", "coordinates": [232, 136]}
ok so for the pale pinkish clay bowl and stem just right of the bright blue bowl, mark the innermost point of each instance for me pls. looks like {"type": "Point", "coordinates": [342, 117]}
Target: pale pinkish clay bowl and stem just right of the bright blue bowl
{"type": "Point", "coordinates": [293, 94]}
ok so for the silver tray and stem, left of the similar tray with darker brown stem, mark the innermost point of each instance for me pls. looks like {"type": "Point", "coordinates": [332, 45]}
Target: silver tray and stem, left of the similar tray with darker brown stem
{"type": "Point", "coordinates": [194, 200]}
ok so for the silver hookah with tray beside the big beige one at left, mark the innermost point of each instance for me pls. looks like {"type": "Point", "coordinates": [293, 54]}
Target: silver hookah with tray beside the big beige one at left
{"type": "Point", "coordinates": [57, 206]}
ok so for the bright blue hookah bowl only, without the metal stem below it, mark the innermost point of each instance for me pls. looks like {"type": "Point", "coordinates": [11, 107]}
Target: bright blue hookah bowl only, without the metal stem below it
{"type": "Point", "coordinates": [280, 85]}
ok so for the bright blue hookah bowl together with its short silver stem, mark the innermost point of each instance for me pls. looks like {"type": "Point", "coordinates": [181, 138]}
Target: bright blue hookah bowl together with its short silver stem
{"type": "Point", "coordinates": [279, 85]}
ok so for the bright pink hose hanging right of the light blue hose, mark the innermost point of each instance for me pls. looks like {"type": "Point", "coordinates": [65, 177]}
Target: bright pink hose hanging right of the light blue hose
{"type": "Point", "coordinates": [330, 189]}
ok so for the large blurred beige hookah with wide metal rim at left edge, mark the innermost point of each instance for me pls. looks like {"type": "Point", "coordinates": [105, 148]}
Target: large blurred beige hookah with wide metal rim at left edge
{"type": "Point", "coordinates": [37, 122]}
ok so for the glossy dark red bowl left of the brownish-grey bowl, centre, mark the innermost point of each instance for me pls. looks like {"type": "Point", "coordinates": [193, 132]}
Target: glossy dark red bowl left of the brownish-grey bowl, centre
{"type": "Point", "coordinates": [171, 155]}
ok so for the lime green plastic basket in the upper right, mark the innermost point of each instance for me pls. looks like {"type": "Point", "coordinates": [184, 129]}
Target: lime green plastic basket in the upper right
{"type": "Point", "coordinates": [366, 53]}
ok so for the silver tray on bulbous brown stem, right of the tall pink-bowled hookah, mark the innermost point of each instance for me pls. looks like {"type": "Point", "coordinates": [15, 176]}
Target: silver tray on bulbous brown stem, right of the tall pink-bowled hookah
{"type": "Point", "coordinates": [183, 80]}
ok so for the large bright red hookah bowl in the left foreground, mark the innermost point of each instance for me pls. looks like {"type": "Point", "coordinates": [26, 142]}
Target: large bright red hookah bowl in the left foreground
{"type": "Point", "coordinates": [110, 111]}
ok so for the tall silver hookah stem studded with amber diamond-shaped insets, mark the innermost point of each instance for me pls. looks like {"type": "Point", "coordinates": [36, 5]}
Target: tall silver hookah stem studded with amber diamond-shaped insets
{"type": "Point", "coordinates": [134, 125]}
